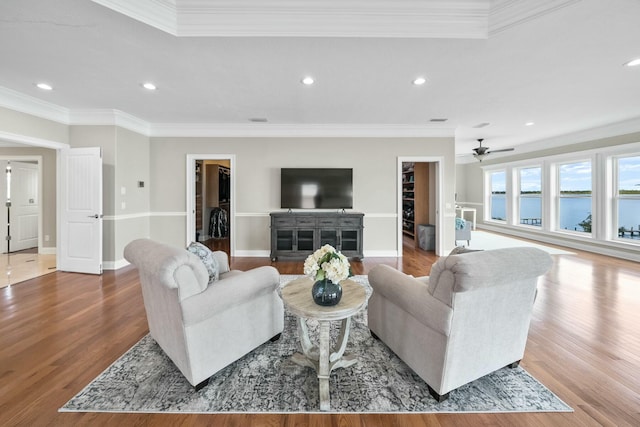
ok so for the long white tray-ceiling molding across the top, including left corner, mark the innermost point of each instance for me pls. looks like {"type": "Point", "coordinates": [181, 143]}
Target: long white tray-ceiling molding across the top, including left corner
{"type": "Point", "coordinates": [311, 18]}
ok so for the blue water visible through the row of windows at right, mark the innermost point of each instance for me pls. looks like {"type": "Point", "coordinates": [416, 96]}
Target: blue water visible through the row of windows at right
{"type": "Point", "coordinates": [572, 211]}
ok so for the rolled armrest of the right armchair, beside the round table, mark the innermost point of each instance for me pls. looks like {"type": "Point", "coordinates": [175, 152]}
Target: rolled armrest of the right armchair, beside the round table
{"type": "Point", "coordinates": [413, 296]}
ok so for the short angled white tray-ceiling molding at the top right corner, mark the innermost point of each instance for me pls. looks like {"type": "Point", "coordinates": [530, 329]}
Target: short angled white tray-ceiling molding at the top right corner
{"type": "Point", "coordinates": [506, 14]}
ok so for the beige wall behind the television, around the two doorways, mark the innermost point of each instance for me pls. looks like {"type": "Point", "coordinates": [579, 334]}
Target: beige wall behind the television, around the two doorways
{"type": "Point", "coordinates": [257, 187]}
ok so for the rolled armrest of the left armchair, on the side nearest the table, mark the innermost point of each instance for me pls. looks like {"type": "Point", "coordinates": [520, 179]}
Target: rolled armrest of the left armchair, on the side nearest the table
{"type": "Point", "coordinates": [229, 292]}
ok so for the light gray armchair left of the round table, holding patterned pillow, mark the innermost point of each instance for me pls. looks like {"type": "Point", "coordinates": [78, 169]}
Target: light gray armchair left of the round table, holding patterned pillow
{"type": "Point", "coordinates": [204, 327]}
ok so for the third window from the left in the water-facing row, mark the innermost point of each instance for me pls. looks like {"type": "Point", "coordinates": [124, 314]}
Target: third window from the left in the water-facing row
{"type": "Point", "coordinates": [574, 197]}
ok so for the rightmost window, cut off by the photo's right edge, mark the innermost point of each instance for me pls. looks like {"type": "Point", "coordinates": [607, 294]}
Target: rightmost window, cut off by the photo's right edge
{"type": "Point", "coordinates": [627, 197]}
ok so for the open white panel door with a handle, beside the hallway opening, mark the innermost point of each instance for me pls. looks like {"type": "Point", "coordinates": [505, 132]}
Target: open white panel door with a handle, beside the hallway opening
{"type": "Point", "coordinates": [80, 186]}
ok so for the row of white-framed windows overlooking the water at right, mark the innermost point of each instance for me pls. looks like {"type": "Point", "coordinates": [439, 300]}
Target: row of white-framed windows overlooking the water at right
{"type": "Point", "coordinates": [572, 196]}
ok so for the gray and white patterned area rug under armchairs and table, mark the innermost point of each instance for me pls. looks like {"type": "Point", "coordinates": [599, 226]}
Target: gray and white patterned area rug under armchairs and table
{"type": "Point", "coordinates": [266, 380]}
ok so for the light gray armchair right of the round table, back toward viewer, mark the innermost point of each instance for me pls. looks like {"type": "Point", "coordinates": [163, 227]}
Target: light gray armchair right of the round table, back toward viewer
{"type": "Point", "coordinates": [469, 318]}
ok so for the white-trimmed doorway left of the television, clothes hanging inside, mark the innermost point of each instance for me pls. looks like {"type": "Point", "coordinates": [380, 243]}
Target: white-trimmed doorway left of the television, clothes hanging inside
{"type": "Point", "coordinates": [210, 201]}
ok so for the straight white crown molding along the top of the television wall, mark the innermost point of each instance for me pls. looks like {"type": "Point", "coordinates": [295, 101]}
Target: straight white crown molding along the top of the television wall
{"type": "Point", "coordinates": [298, 130]}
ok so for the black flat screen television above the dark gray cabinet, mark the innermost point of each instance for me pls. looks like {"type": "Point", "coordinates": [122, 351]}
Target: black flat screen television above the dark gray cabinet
{"type": "Point", "coordinates": [321, 188]}
